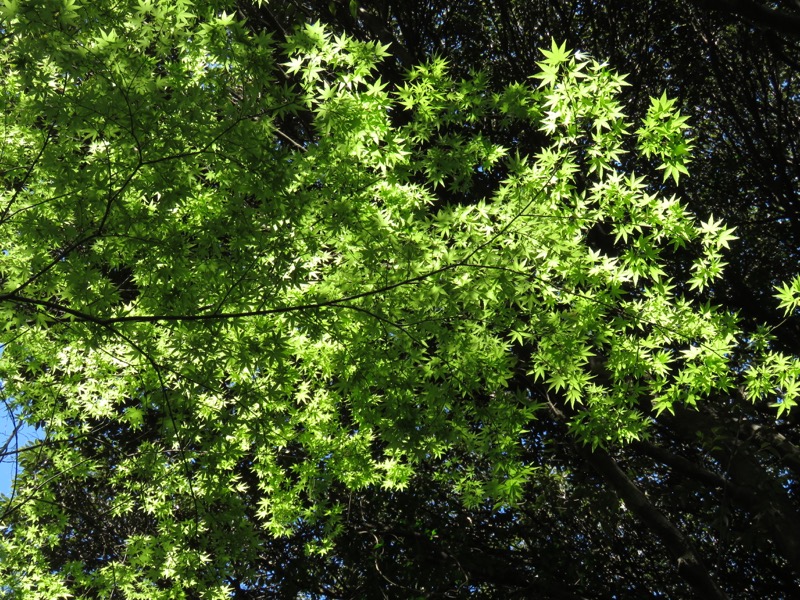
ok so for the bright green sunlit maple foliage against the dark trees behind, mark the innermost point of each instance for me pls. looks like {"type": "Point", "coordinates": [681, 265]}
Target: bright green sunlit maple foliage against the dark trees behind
{"type": "Point", "coordinates": [245, 274]}
